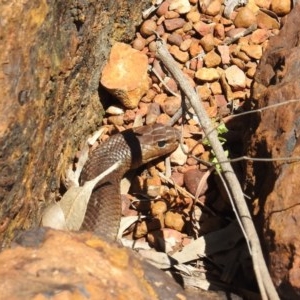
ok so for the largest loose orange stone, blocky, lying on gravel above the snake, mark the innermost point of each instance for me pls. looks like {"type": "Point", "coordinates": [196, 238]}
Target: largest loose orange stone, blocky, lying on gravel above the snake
{"type": "Point", "coordinates": [125, 74]}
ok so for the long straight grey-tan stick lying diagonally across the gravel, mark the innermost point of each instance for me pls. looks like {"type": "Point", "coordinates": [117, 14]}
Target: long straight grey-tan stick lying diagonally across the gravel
{"type": "Point", "coordinates": [266, 286]}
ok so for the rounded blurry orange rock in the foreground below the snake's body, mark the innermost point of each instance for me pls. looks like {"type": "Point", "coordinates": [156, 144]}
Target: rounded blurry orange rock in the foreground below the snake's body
{"type": "Point", "coordinates": [46, 264]}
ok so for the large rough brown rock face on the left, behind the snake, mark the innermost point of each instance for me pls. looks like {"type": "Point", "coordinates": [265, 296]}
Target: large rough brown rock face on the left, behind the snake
{"type": "Point", "coordinates": [51, 55]}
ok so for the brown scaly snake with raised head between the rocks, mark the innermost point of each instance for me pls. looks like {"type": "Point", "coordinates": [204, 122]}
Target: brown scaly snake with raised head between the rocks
{"type": "Point", "coordinates": [133, 147]}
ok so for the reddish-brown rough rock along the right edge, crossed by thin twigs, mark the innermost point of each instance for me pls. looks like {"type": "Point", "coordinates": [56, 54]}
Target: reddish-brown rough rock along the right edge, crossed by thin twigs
{"type": "Point", "coordinates": [276, 184]}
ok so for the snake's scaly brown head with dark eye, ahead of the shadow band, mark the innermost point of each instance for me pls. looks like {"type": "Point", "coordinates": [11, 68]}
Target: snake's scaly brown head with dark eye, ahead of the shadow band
{"type": "Point", "coordinates": [156, 140]}
